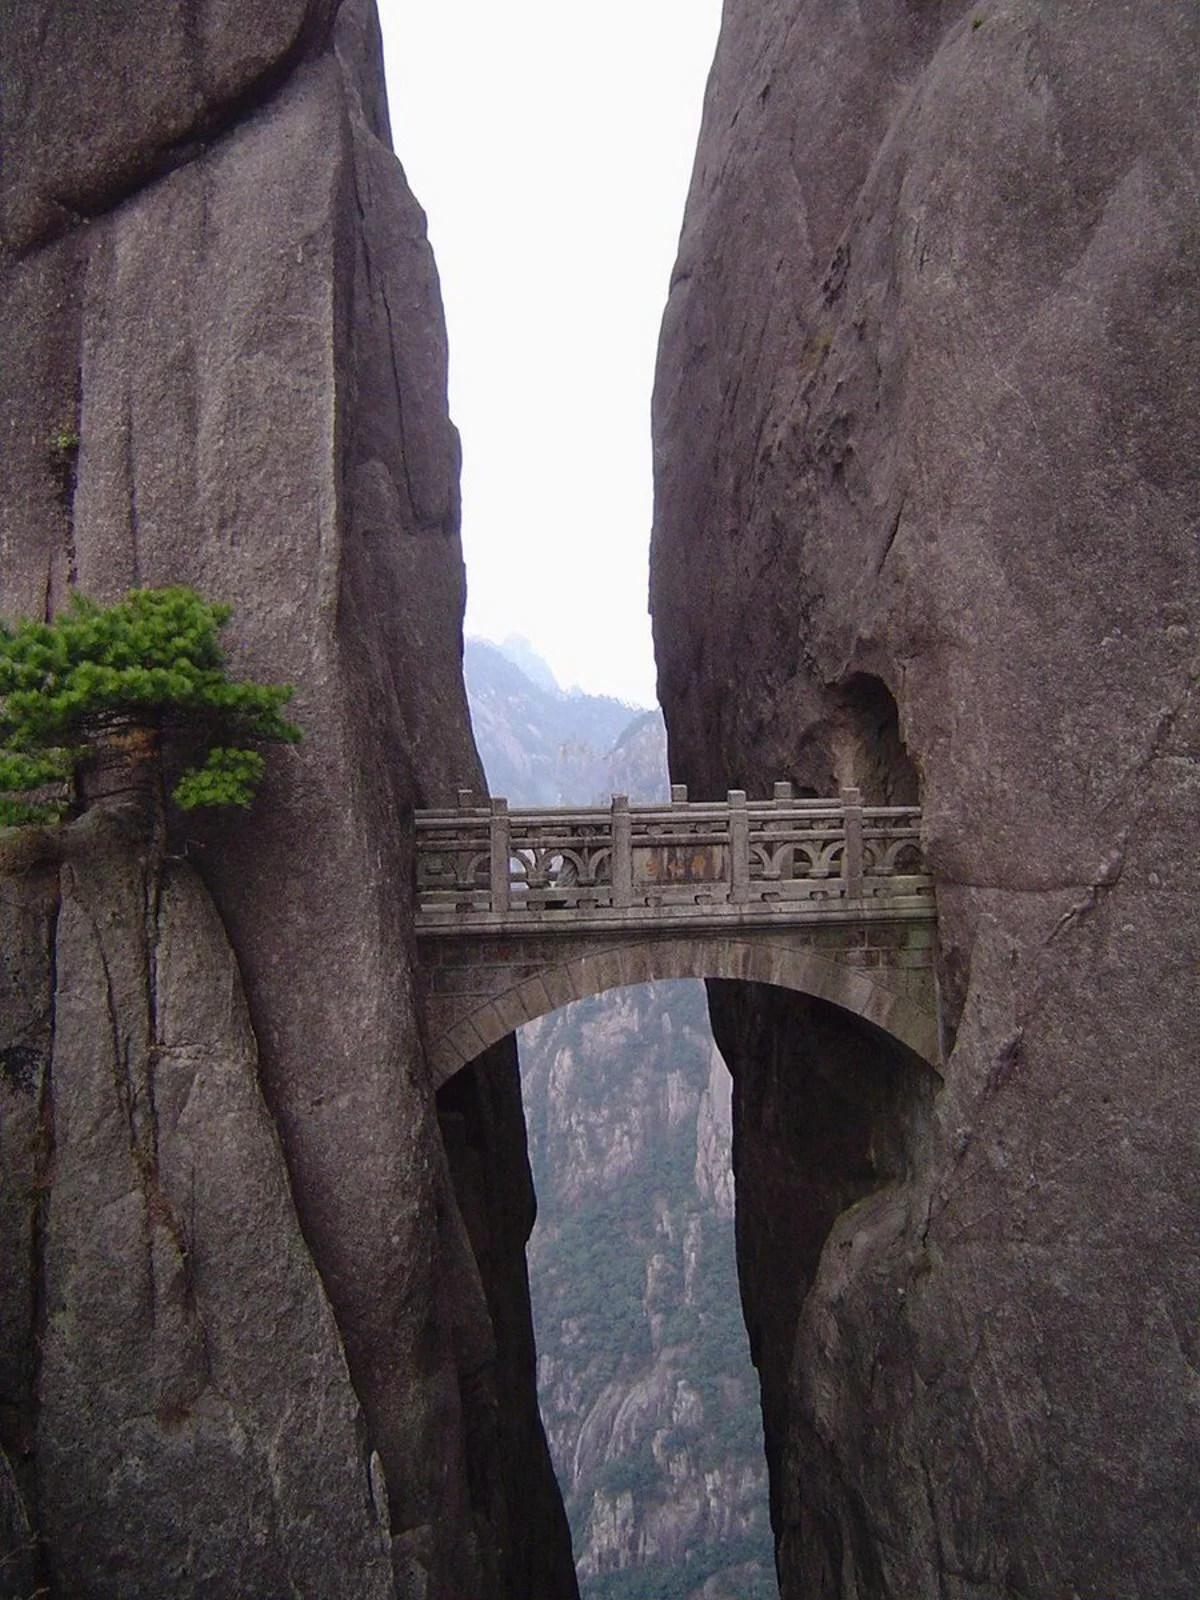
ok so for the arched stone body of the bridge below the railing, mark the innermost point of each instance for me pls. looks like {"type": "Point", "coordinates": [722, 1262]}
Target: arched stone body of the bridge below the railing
{"type": "Point", "coordinates": [479, 990]}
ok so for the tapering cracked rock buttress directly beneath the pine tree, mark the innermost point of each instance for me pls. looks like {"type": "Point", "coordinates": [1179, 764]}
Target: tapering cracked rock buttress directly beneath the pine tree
{"type": "Point", "coordinates": [196, 1423]}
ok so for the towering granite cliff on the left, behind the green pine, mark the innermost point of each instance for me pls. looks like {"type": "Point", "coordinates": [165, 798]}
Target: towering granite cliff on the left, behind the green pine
{"type": "Point", "coordinates": [276, 1338]}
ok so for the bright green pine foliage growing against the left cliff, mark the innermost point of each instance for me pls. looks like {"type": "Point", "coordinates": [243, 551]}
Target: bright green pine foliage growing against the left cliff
{"type": "Point", "coordinates": [124, 676]}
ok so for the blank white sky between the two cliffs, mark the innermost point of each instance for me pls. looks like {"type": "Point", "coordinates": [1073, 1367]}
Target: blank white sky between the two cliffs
{"type": "Point", "coordinates": [551, 146]}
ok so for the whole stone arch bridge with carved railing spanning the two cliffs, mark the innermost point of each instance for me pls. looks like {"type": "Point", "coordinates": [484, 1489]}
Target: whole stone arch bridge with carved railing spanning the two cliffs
{"type": "Point", "coordinates": [521, 913]}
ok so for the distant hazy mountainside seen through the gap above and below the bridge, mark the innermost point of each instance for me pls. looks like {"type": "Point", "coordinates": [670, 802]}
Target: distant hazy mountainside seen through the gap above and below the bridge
{"type": "Point", "coordinates": [644, 1370]}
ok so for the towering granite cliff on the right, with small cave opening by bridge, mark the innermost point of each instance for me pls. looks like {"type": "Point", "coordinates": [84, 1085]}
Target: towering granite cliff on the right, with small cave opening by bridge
{"type": "Point", "coordinates": [927, 441]}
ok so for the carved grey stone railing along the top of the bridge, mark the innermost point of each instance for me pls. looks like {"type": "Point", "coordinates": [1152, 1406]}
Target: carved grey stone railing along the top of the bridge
{"type": "Point", "coordinates": [526, 865]}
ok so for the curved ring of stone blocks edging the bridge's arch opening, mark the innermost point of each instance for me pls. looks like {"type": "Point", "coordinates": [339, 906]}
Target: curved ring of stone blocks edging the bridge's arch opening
{"type": "Point", "coordinates": [898, 999]}
